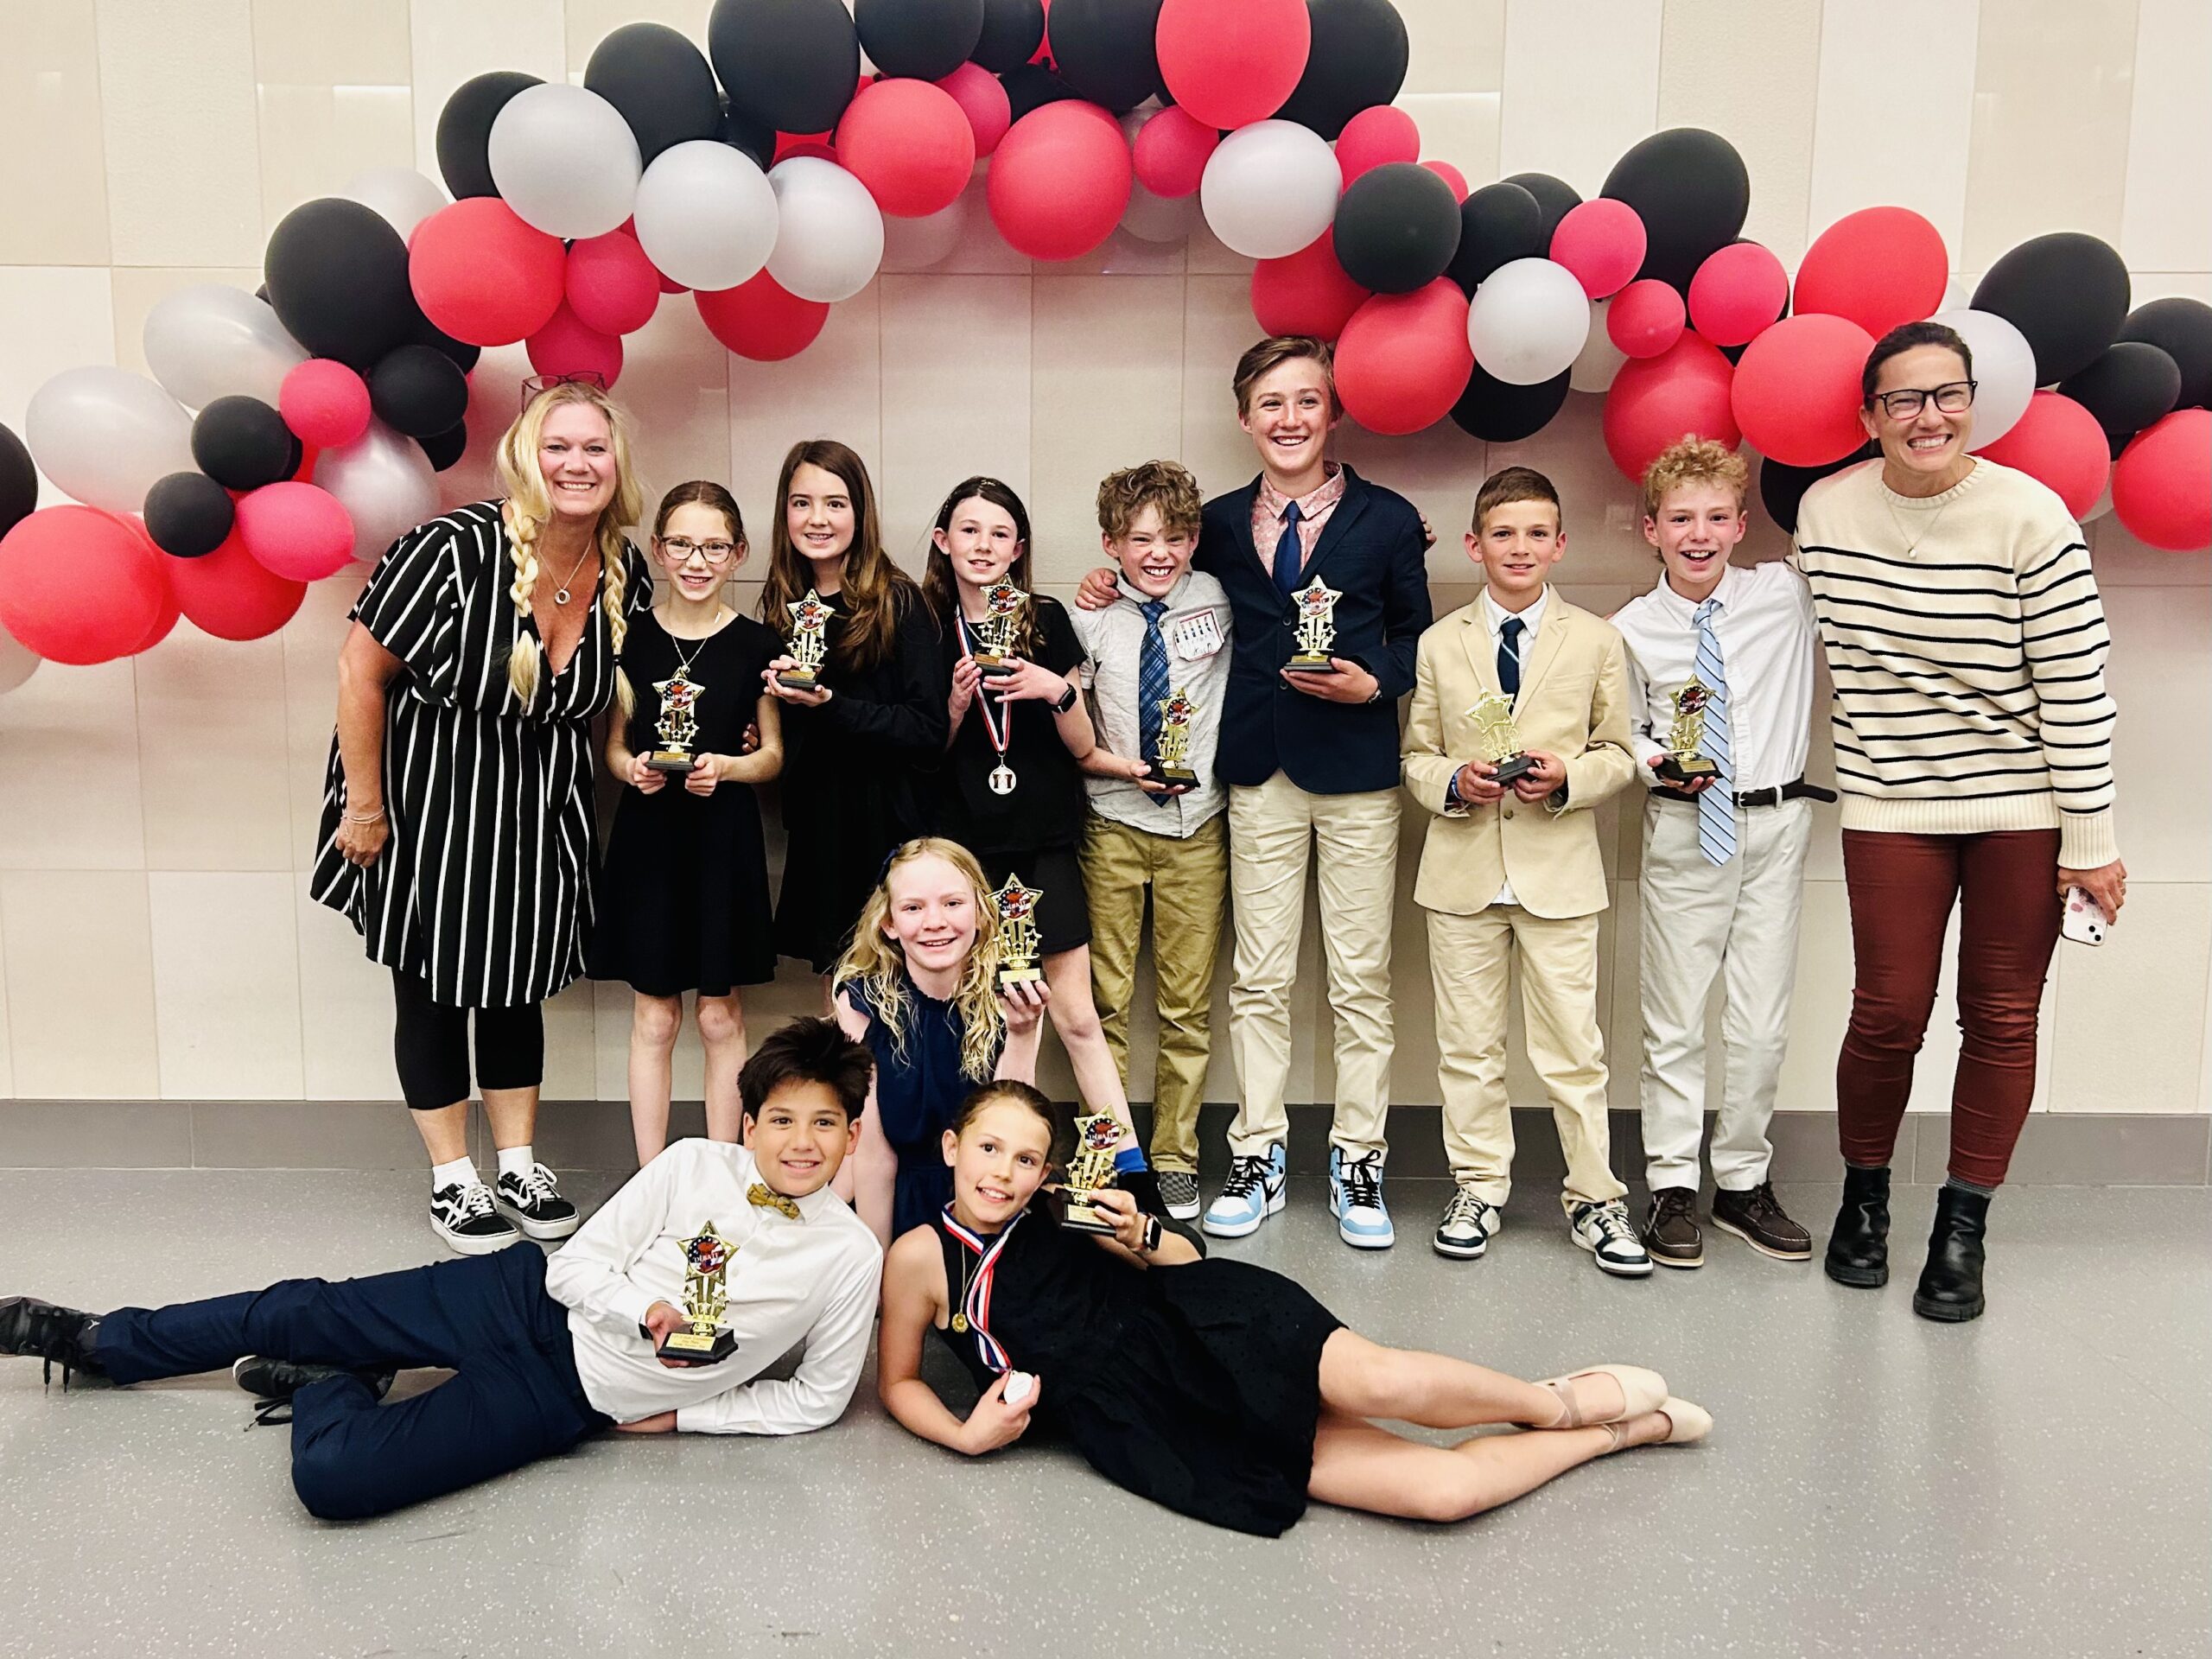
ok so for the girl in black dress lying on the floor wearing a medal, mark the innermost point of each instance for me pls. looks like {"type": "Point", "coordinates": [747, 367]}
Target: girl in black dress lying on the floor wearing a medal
{"type": "Point", "coordinates": [1215, 1388]}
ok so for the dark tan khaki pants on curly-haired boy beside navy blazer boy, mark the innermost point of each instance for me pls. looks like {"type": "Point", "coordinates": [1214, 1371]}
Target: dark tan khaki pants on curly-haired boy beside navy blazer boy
{"type": "Point", "coordinates": [1189, 884]}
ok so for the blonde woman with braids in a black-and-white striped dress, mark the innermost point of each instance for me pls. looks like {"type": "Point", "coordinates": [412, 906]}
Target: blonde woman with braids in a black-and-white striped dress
{"type": "Point", "coordinates": [457, 813]}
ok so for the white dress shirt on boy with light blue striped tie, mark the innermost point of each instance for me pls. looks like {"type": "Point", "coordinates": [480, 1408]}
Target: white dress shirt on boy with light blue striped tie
{"type": "Point", "coordinates": [1768, 645]}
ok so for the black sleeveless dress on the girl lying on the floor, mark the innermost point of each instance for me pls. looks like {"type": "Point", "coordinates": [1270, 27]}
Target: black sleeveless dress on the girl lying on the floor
{"type": "Point", "coordinates": [1191, 1386]}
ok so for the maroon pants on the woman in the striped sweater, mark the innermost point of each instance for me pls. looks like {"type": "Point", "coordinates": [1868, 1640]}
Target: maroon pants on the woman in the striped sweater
{"type": "Point", "coordinates": [1903, 890]}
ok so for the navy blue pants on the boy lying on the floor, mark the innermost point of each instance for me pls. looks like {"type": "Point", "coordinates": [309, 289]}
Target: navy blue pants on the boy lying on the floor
{"type": "Point", "coordinates": [514, 1397]}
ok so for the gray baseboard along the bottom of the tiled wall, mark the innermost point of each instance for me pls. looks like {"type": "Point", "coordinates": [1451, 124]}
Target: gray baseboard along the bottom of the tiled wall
{"type": "Point", "coordinates": [2105, 1149]}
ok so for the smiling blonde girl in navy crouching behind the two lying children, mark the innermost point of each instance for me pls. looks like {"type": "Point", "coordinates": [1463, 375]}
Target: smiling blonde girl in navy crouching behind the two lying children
{"type": "Point", "coordinates": [919, 985]}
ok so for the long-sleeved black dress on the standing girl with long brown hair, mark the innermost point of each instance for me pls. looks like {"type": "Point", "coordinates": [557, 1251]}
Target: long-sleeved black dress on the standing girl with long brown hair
{"type": "Point", "coordinates": [853, 786]}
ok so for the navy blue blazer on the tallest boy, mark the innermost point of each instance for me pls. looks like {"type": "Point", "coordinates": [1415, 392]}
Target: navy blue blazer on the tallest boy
{"type": "Point", "coordinates": [1373, 552]}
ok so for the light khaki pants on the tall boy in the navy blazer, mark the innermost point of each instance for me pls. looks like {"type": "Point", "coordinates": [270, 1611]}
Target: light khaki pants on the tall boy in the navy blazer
{"type": "Point", "coordinates": [1273, 833]}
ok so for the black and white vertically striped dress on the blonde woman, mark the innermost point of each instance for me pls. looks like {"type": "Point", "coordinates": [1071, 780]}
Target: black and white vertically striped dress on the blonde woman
{"type": "Point", "coordinates": [486, 886]}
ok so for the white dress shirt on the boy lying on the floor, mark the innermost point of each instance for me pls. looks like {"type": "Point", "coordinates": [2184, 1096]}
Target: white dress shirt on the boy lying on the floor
{"type": "Point", "coordinates": [791, 1282]}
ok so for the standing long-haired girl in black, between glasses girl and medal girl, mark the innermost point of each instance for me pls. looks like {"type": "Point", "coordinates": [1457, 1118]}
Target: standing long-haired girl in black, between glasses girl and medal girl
{"type": "Point", "coordinates": [857, 744]}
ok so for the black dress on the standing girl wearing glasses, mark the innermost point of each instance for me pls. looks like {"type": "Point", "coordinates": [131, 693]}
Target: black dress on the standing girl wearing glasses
{"type": "Point", "coordinates": [685, 886]}
